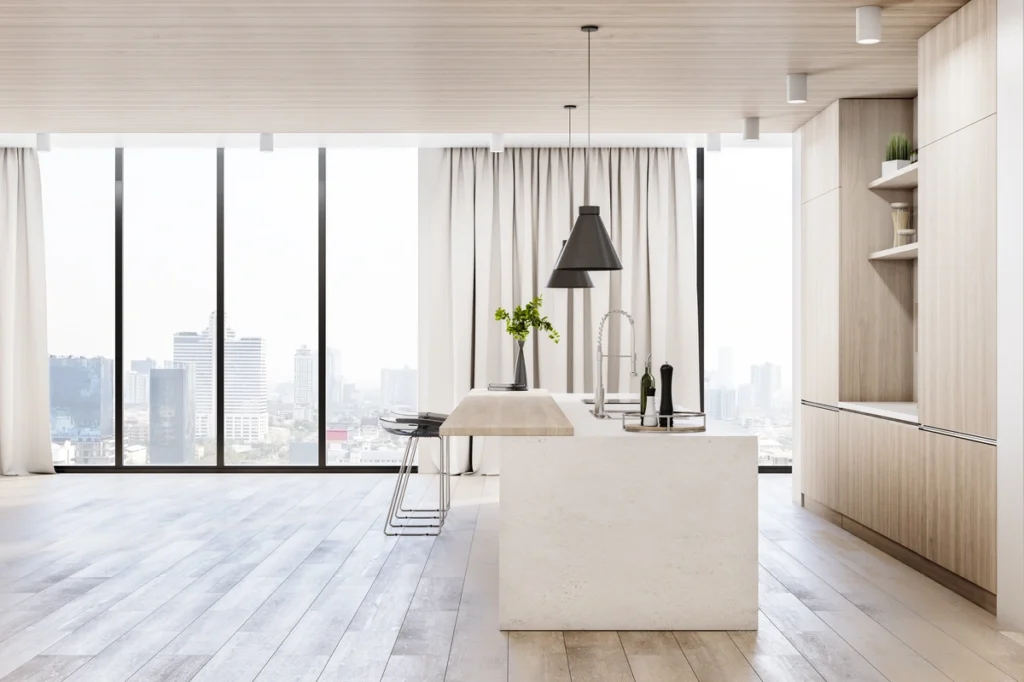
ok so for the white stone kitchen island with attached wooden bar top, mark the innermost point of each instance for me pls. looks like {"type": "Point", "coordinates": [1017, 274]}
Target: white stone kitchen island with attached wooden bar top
{"type": "Point", "coordinates": [606, 530]}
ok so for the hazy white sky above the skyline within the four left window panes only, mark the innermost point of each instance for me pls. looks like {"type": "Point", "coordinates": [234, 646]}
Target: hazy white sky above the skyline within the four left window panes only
{"type": "Point", "coordinates": [271, 211]}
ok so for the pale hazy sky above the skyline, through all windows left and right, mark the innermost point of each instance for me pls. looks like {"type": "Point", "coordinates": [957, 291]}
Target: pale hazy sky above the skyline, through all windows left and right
{"type": "Point", "coordinates": [271, 253]}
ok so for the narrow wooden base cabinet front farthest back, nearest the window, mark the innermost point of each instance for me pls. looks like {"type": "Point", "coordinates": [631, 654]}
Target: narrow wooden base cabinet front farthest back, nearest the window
{"type": "Point", "coordinates": [820, 452]}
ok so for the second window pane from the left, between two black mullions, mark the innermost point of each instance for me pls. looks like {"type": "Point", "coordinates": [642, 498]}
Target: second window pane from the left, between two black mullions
{"type": "Point", "coordinates": [169, 293]}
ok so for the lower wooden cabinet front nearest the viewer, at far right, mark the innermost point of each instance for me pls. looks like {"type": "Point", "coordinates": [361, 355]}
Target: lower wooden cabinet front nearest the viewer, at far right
{"type": "Point", "coordinates": [961, 508]}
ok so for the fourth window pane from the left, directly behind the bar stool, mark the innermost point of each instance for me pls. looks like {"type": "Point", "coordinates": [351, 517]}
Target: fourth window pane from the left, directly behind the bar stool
{"type": "Point", "coordinates": [372, 221]}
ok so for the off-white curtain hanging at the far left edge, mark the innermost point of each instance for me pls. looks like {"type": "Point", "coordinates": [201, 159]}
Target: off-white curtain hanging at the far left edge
{"type": "Point", "coordinates": [25, 417]}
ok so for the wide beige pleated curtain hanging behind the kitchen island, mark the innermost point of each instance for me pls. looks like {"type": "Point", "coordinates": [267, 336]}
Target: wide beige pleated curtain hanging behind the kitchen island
{"type": "Point", "coordinates": [491, 229]}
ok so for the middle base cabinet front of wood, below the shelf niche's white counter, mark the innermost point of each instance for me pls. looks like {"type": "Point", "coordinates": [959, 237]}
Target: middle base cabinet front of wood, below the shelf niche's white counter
{"type": "Point", "coordinates": [882, 478]}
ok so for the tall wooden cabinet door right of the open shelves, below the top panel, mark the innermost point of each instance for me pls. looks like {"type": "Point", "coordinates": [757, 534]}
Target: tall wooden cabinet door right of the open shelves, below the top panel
{"type": "Point", "coordinates": [957, 287]}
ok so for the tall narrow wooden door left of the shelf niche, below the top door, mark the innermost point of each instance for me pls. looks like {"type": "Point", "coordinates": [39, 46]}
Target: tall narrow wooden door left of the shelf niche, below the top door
{"type": "Point", "coordinates": [820, 295]}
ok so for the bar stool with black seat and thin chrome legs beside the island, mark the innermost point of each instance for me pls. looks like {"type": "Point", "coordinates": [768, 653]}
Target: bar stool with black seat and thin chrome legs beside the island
{"type": "Point", "coordinates": [416, 522]}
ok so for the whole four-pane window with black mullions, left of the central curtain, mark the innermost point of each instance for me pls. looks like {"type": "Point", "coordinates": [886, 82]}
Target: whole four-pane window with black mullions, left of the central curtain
{"type": "Point", "coordinates": [249, 231]}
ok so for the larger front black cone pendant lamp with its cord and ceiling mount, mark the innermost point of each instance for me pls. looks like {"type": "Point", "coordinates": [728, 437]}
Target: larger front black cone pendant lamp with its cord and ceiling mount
{"type": "Point", "coordinates": [589, 247]}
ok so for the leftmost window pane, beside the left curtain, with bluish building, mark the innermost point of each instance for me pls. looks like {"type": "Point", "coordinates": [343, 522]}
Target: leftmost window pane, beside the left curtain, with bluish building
{"type": "Point", "coordinates": [78, 209]}
